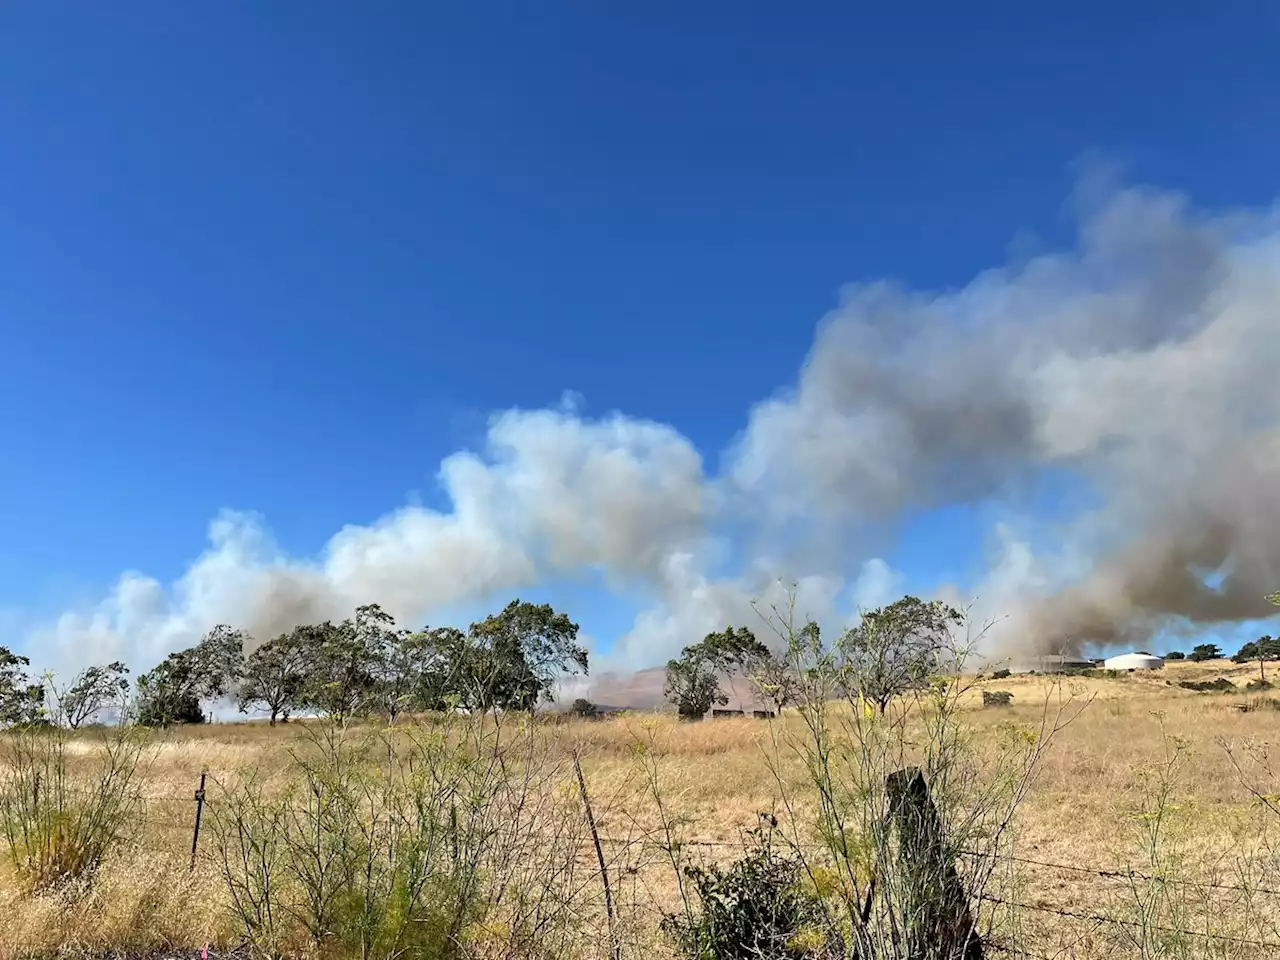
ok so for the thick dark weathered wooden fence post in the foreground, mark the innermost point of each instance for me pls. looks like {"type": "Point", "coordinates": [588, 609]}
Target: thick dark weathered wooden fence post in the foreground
{"type": "Point", "coordinates": [935, 903]}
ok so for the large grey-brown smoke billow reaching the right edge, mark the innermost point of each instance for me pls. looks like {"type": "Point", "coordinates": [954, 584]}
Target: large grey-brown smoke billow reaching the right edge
{"type": "Point", "coordinates": [1145, 363]}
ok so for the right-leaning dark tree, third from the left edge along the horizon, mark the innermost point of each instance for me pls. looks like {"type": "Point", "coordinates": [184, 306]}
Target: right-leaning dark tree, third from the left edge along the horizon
{"type": "Point", "coordinates": [172, 693]}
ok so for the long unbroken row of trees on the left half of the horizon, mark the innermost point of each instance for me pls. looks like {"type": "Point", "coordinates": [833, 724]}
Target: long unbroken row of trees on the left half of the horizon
{"type": "Point", "coordinates": [363, 666]}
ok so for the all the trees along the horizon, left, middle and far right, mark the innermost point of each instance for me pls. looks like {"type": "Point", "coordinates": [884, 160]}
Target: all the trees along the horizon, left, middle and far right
{"type": "Point", "coordinates": [511, 661]}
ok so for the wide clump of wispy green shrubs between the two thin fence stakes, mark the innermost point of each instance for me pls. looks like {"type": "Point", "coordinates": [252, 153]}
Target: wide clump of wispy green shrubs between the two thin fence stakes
{"type": "Point", "coordinates": [426, 843]}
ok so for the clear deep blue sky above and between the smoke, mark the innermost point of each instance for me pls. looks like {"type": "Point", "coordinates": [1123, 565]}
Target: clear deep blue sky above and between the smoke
{"type": "Point", "coordinates": [289, 258]}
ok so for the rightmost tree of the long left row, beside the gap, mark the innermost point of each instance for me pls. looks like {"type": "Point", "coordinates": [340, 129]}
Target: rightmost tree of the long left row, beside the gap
{"type": "Point", "coordinates": [516, 657]}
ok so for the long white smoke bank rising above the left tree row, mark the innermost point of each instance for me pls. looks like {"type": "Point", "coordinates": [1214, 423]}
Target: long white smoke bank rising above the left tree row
{"type": "Point", "coordinates": [552, 495]}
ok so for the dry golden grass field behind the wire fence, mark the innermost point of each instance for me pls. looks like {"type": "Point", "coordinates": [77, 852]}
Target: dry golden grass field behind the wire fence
{"type": "Point", "coordinates": [1140, 787]}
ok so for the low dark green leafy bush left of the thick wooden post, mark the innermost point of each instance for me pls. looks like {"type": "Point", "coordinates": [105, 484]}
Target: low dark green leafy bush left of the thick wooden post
{"type": "Point", "coordinates": [758, 908]}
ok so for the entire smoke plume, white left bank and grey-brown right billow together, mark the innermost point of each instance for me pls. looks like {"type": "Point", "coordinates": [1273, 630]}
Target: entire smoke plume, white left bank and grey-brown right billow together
{"type": "Point", "coordinates": [1144, 363]}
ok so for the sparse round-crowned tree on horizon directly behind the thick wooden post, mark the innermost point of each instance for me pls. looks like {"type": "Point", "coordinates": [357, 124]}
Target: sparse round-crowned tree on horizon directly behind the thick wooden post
{"type": "Point", "coordinates": [897, 648]}
